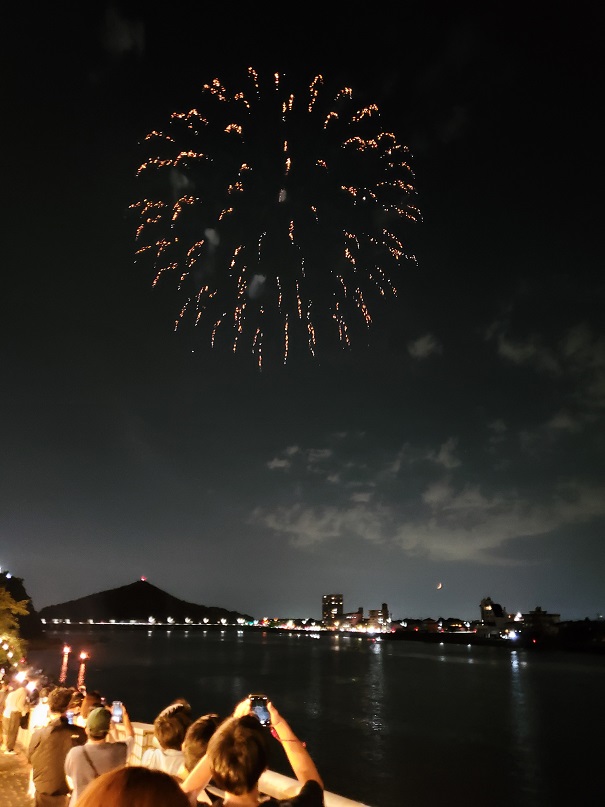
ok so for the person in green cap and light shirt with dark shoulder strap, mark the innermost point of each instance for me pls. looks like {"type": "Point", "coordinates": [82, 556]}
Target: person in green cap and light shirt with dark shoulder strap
{"type": "Point", "coordinates": [85, 762]}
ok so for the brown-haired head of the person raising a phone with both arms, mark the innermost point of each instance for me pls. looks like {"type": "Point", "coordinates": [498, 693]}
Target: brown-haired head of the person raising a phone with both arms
{"type": "Point", "coordinates": [238, 754]}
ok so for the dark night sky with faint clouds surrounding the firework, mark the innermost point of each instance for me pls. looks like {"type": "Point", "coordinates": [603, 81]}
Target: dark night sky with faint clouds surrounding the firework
{"type": "Point", "coordinates": [458, 441]}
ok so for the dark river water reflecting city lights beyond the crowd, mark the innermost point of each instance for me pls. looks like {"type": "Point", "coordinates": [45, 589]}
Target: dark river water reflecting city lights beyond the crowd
{"type": "Point", "coordinates": [388, 723]}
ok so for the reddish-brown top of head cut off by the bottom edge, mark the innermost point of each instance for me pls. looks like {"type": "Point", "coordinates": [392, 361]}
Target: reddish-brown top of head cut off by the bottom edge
{"type": "Point", "coordinates": [134, 786]}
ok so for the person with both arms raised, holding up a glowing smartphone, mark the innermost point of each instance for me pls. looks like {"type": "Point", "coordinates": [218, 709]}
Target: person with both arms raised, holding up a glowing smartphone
{"type": "Point", "coordinates": [238, 754]}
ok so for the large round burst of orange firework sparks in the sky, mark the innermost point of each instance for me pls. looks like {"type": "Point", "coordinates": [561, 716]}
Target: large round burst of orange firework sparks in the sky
{"type": "Point", "coordinates": [284, 211]}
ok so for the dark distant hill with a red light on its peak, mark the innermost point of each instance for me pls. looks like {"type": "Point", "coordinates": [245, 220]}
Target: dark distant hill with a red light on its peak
{"type": "Point", "coordinates": [136, 601]}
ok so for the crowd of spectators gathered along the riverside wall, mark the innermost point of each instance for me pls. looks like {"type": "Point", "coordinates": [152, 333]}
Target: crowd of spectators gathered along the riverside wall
{"type": "Point", "coordinates": [80, 758]}
